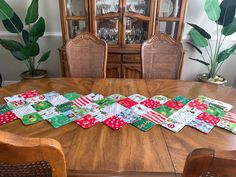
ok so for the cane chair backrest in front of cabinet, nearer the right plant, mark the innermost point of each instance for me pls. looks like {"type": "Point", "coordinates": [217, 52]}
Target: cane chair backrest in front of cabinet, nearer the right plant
{"type": "Point", "coordinates": [162, 57]}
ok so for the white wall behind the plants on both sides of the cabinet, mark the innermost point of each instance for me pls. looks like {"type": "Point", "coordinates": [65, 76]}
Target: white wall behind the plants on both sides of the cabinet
{"type": "Point", "coordinates": [49, 9]}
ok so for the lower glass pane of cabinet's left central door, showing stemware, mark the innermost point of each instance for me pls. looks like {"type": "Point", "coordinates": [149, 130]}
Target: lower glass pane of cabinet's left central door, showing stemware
{"type": "Point", "coordinates": [107, 30]}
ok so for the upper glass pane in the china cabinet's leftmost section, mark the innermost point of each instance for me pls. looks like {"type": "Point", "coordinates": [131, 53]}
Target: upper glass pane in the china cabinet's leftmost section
{"type": "Point", "coordinates": [75, 8]}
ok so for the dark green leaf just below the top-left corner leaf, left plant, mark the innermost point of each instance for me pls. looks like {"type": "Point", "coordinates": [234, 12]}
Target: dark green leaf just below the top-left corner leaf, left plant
{"type": "Point", "coordinates": [13, 25]}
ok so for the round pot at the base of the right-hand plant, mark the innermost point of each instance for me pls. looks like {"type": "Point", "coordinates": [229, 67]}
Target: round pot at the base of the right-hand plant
{"type": "Point", "coordinates": [219, 80]}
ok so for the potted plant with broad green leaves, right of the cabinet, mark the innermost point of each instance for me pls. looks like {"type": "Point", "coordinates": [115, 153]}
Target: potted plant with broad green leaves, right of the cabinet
{"type": "Point", "coordinates": [224, 17]}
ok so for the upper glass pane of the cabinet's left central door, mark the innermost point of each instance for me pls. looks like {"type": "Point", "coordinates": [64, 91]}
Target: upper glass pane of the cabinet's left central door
{"type": "Point", "coordinates": [106, 6]}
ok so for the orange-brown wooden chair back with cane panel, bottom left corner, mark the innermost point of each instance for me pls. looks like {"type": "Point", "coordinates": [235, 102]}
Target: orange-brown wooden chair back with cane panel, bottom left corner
{"type": "Point", "coordinates": [31, 157]}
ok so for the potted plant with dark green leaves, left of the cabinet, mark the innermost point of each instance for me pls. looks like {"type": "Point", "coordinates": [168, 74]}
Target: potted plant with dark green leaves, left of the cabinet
{"type": "Point", "coordinates": [26, 49]}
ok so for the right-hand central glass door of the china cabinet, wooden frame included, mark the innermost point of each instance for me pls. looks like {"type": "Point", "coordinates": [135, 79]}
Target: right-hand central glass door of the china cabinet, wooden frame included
{"type": "Point", "coordinates": [138, 21]}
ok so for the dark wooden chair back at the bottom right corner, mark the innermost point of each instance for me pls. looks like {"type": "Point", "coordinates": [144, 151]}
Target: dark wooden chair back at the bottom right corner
{"type": "Point", "coordinates": [208, 163]}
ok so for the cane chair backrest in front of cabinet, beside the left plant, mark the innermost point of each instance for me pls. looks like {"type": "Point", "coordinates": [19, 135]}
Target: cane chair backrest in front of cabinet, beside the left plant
{"type": "Point", "coordinates": [86, 56]}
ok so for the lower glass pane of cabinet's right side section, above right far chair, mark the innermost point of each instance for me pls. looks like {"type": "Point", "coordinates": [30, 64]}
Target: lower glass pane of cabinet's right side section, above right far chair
{"type": "Point", "coordinates": [170, 28]}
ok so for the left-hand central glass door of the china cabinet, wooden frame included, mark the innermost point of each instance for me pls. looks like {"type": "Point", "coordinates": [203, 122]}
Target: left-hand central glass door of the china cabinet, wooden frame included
{"type": "Point", "coordinates": [107, 20]}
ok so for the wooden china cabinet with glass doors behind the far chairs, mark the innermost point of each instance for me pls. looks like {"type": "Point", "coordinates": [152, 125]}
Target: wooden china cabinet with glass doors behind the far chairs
{"type": "Point", "coordinates": [124, 25]}
